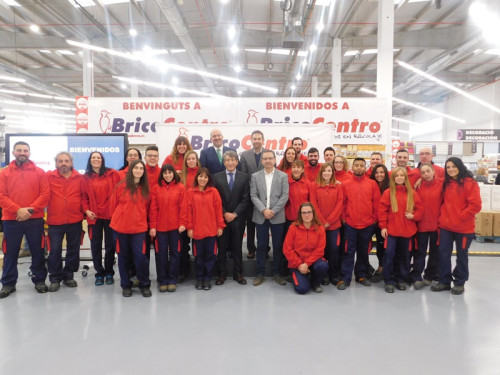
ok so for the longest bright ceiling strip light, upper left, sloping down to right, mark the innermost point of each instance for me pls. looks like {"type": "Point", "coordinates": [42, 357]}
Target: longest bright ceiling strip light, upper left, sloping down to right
{"type": "Point", "coordinates": [162, 65]}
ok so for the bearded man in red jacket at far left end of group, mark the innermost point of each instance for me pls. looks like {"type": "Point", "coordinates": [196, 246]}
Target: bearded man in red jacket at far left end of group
{"type": "Point", "coordinates": [24, 193]}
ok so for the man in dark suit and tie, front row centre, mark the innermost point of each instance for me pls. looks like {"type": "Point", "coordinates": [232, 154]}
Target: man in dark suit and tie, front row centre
{"type": "Point", "coordinates": [234, 188]}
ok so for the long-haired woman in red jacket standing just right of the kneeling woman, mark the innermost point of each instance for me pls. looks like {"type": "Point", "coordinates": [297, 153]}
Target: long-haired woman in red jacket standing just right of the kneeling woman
{"type": "Point", "coordinates": [327, 197]}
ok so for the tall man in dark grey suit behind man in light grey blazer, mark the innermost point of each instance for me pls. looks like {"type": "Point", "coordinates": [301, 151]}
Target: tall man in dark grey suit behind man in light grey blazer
{"type": "Point", "coordinates": [250, 163]}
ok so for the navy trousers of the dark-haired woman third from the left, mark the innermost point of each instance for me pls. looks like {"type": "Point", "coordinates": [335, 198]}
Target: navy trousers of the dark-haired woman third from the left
{"type": "Point", "coordinates": [95, 234]}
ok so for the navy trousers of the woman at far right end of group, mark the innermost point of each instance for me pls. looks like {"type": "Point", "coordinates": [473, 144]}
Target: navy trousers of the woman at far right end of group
{"type": "Point", "coordinates": [461, 271]}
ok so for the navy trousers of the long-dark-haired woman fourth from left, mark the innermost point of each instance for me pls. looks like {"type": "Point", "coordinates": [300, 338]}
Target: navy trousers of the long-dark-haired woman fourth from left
{"type": "Point", "coordinates": [132, 248]}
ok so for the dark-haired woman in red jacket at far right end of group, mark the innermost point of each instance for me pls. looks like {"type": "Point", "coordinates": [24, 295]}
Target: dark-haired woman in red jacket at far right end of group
{"type": "Point", "coordinates": [461, 202]}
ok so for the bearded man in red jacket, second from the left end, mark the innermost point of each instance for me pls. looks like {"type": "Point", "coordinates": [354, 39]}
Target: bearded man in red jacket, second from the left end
{"type": "Point", "coordinates": [67, 204]}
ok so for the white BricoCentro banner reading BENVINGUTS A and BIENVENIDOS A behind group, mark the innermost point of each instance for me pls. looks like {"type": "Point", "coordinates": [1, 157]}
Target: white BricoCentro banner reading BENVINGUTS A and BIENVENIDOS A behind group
{"type": "Point", "coordinates": [320, 121]}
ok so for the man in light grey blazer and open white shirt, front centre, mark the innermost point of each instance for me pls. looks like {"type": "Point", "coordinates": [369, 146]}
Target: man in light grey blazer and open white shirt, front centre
{"type": "Point", "coordinates": [269, 194]}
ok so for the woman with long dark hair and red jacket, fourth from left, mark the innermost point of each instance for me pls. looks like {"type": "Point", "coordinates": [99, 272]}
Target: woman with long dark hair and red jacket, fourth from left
{"type": "Point", "coordinates": [129, 219]}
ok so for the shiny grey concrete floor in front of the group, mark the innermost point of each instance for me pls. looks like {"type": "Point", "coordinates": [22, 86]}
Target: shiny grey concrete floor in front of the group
{"type": "Point", "coordinates": [238, 330]}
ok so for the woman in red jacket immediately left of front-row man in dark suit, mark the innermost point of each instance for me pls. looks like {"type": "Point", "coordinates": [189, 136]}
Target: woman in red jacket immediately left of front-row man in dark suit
{"type": "Point", "coordinates": [204, 224]}
